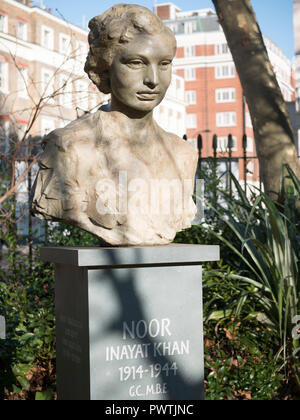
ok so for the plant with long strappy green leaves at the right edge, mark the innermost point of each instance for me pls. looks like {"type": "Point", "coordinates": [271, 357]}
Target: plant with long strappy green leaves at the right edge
{"type": "Point", "coordinates": [267, 242]}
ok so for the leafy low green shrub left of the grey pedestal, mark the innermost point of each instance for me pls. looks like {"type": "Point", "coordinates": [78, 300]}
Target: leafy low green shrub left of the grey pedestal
{"type": "Point", "coordinates": [27, 302]}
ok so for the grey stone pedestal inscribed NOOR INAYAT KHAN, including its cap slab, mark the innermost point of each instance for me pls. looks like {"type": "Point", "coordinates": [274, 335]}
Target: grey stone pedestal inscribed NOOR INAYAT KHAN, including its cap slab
{"type": "Point", "coordinates": [129, 322]}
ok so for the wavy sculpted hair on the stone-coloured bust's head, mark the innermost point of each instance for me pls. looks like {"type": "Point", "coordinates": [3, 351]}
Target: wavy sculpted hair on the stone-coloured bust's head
{"type": "Point", "coordinates": [108, 32]}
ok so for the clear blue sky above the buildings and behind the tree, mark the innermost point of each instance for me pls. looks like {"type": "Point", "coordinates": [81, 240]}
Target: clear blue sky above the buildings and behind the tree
{"type": "Point", "coordinates": [274, 16]}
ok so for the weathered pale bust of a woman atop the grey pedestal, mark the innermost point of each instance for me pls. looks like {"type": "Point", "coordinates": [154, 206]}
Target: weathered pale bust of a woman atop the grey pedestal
{"type": "Point", "coordinates": [117, 174]}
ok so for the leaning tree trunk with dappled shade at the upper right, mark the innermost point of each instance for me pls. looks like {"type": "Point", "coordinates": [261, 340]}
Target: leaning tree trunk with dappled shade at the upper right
{"type": "Point", "coordinates": [272, 128]}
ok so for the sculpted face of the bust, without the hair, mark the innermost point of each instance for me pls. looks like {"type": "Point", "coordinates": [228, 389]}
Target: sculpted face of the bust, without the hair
{"type": "Point", "coordinates": [141, 72]}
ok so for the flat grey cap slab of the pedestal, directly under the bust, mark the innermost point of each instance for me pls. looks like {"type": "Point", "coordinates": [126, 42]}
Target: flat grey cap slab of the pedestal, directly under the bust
{"type": "Point", "coordinates": [174, 254]}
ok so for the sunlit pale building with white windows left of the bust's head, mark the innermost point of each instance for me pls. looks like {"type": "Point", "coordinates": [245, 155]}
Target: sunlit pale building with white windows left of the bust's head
{"type": "Point", "coordinates": [41, 62]}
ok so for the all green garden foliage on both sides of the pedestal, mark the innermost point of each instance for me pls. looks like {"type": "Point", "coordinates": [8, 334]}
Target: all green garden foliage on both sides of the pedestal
{"type": "Point", "coordinates": [250, 297]}
